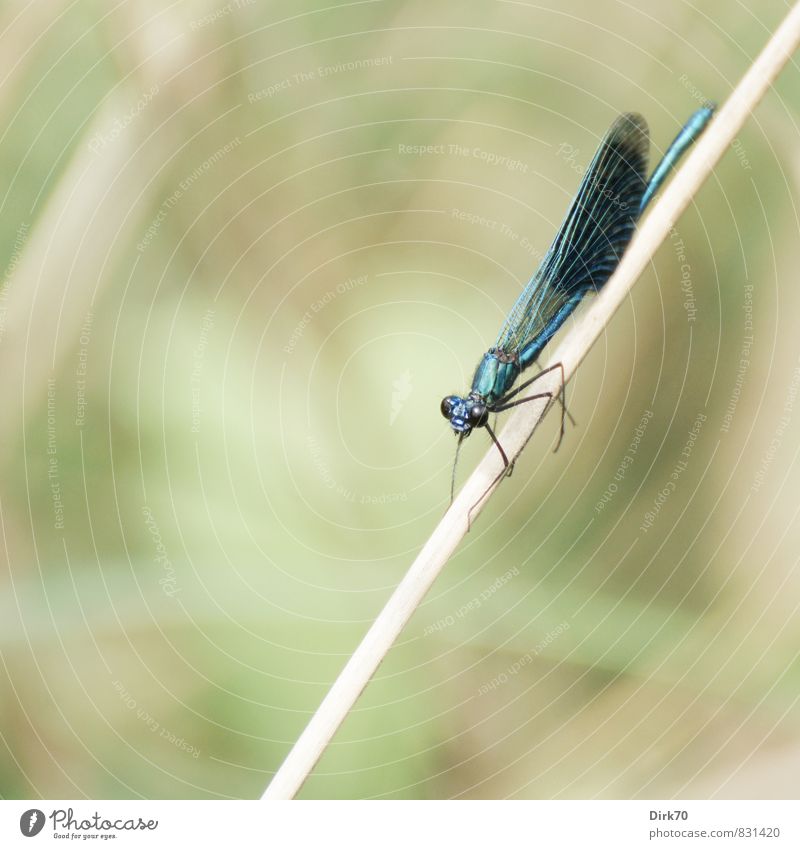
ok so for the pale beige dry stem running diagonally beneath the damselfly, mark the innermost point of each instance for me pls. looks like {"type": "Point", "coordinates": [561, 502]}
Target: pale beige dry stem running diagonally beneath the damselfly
{"type": "Point", "coordinates": [454, 524]}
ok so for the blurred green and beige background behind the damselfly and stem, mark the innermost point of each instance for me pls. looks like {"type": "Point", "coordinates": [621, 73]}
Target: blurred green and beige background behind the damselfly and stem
{"type": "Point", "coordinates": [235, 291]}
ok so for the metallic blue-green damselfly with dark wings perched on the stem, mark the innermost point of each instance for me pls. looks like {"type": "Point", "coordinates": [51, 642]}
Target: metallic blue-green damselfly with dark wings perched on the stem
{"type": "Point", "coordinates": [596, 230]}
